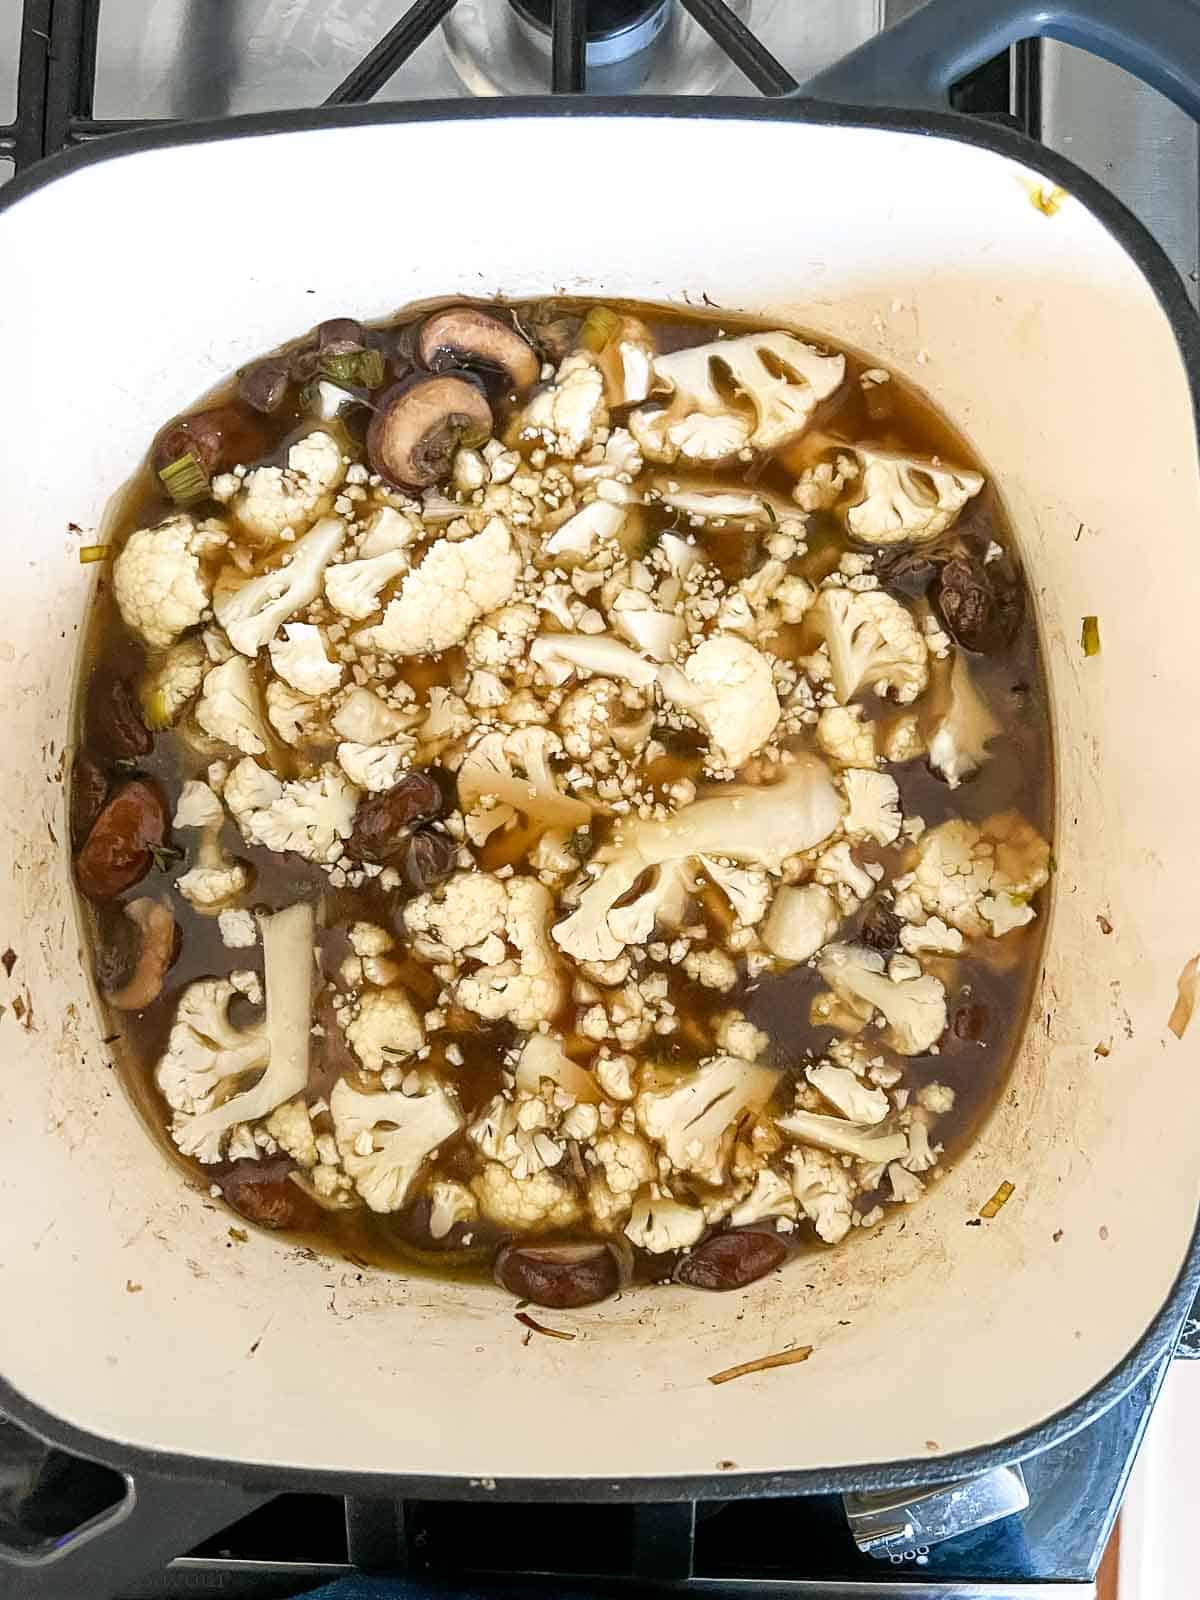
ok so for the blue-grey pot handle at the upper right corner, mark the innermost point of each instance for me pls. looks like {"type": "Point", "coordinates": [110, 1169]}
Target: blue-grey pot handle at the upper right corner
{"type": "Point", "coordinates": [916, 62]}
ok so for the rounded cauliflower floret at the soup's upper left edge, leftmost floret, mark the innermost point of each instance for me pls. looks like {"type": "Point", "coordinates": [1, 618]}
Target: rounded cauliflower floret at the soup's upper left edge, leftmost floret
{"type": "Point", "coordinates": [159, 582]}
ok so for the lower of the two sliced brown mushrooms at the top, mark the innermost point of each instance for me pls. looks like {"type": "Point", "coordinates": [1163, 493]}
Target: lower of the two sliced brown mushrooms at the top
{"type": "Point", "coordinates": [420, 425]}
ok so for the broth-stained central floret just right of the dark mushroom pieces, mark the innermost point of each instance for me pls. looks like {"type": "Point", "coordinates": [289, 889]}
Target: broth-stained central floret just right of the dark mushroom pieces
{"type": "Point", "coordinates": [508, 774]}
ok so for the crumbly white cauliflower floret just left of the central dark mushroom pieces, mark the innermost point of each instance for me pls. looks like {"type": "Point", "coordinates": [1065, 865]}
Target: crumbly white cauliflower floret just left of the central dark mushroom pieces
{"type": "Point", "coordinates": [308, 815]}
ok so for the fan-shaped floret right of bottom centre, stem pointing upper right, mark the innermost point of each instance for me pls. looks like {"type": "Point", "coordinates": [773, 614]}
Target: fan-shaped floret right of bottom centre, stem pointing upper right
{"type": "Point", "coordinates": [694, 1118]}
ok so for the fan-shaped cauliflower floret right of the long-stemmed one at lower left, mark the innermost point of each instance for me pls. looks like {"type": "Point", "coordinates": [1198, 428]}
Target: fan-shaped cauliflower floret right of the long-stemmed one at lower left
{"type": "Point", "coordinates": [386, 1138]}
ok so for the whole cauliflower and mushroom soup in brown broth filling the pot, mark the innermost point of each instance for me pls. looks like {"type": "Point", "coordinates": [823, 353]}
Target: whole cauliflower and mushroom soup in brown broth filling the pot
{"type": "Point", "coordinates": [686, 1047]}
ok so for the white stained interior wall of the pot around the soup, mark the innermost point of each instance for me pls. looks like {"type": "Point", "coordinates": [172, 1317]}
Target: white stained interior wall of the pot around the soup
{"type": "Point", "coordinates": [129, 1311]}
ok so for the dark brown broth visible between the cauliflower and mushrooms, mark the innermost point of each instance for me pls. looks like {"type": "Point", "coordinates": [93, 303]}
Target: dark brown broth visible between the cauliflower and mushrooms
{"type": "Point", "coordinates": [998, 977]}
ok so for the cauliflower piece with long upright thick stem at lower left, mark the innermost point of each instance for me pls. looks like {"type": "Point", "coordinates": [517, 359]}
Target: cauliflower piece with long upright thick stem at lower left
{"type": "Point", "coordinates": [207, 1058]}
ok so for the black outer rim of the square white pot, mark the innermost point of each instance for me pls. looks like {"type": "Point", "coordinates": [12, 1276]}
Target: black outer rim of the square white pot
{"type": "Point", "coordinates": [1164, 1330]}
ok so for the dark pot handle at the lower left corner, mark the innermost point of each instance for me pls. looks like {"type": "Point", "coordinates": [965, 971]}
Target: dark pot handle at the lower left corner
{"type": "Point", "coordinates": [156, 1521]}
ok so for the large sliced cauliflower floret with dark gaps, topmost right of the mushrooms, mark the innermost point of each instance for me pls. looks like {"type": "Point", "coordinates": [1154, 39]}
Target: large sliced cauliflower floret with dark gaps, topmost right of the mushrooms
{"type": "Point", "coordinates": [754, 366]}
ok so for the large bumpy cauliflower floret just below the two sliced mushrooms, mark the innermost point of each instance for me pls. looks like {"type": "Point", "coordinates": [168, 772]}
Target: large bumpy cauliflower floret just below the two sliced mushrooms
{"type": "Point", "coordinates": [444, 598]}
